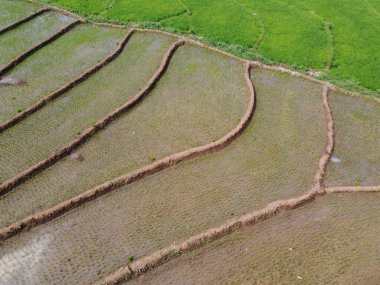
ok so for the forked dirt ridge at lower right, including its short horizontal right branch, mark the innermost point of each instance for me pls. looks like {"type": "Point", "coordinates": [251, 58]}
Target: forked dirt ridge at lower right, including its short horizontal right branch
{"type": "Point", "coordinates": [166, 255]}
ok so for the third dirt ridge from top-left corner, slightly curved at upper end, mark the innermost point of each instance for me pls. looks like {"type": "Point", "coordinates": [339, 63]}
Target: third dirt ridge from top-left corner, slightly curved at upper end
{"type": "Point", "coordinates": [68, 86]}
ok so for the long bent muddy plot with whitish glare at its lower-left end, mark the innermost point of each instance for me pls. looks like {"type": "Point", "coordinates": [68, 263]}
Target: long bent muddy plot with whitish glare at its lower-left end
{"type": "Point", "coordinates": [265, 164]}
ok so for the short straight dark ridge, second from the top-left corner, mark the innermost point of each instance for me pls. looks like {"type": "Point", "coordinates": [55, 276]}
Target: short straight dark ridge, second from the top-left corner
{"type": "Point", "coordinates": [37, 47]}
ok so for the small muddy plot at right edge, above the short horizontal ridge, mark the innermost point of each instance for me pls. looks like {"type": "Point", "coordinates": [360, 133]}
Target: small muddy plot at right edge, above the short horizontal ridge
{"type": "Point", "coordinates": [356, 160]}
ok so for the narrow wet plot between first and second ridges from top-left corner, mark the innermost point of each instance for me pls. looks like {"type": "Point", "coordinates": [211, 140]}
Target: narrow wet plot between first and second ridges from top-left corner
{"type": "Point", "coordinates": [19, 40]}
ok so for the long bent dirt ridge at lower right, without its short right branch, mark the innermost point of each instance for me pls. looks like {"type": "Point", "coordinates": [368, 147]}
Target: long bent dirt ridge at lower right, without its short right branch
{"type": "Point", "coordinates": [166, 254]}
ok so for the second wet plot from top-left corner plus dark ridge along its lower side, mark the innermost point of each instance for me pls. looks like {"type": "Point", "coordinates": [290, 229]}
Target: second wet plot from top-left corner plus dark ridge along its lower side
{"type": "Point", "coordinates": [18, 44]}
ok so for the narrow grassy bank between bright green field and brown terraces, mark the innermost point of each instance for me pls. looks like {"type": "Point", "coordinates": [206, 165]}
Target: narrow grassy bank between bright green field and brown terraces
{"type": "Point", "coordinates": [236, 50]}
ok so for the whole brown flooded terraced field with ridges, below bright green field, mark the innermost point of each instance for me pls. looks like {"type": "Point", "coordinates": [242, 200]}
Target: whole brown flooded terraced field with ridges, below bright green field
{"type": "Point", "coordinates": [126, 150]}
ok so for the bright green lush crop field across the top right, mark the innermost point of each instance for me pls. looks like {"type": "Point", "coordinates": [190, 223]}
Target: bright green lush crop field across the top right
{"type": "Point", "coordinates": [340, 39]}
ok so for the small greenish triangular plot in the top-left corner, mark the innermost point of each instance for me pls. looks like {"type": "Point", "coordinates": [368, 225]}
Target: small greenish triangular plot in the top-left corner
{"type": "Point", "coordinates": [12, 11]}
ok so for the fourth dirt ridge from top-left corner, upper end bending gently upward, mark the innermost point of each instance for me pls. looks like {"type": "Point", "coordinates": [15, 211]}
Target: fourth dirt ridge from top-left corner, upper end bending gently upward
{"type": "Point", "coordinates": [9, 184]}
